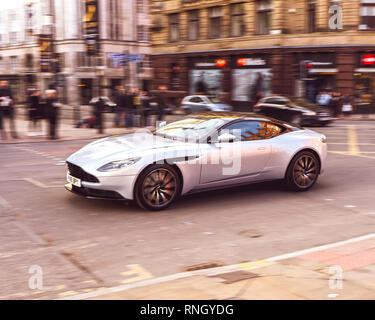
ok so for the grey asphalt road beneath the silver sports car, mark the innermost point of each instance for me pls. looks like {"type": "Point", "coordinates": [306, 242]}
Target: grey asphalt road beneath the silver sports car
{"type": "Point", "coordinates": [81, 244]}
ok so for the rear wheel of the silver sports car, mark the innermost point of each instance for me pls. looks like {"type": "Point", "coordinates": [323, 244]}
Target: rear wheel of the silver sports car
{"type": "Point", "coordinates": [303, 171]}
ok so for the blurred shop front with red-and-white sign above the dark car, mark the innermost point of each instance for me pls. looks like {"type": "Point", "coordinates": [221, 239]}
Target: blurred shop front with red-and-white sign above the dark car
{"type": "Point", "coordinates": [251, 80]}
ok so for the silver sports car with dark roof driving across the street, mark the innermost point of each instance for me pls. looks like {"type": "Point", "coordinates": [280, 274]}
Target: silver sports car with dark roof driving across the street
{"type": "Point", "coordinates": [199, 152]}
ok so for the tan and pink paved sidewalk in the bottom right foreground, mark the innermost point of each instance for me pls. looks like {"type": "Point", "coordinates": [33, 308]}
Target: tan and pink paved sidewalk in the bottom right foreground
{"type": "Point", "coordinates": [337, 271]}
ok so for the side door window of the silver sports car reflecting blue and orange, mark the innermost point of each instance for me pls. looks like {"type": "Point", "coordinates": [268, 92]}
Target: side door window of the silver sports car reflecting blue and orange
{"type": "Point", "coordinates": [247, 130]}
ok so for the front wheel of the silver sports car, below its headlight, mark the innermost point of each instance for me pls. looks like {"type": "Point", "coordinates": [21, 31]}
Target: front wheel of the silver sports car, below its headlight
{"type": "Point", "coordinates": [157, 187]}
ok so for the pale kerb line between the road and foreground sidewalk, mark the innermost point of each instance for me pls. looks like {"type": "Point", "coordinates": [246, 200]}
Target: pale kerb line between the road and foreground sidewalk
{"type": "Point", "coordinates": [210, 272]}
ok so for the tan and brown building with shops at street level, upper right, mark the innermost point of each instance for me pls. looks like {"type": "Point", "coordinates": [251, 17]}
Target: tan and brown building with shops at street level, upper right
{"type": "Point", "coordinates": [239, 47]}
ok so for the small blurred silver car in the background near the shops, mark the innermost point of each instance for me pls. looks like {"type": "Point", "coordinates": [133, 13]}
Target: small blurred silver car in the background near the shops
{"type": "Point", "coordinates": [201, 103]}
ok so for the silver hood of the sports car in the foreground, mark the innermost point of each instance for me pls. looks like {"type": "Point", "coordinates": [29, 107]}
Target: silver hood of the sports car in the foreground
{"type": "Point", "coordinates": [125, 146]}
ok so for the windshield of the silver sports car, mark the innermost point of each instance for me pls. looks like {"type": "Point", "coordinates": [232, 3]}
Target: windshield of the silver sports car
{"type": "Point", "coordinates": [190, 129]}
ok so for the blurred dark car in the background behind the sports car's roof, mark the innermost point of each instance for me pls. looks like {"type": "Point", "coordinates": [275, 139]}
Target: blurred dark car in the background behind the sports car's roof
{"type": "Point", "coordinates": [298, 112]}
